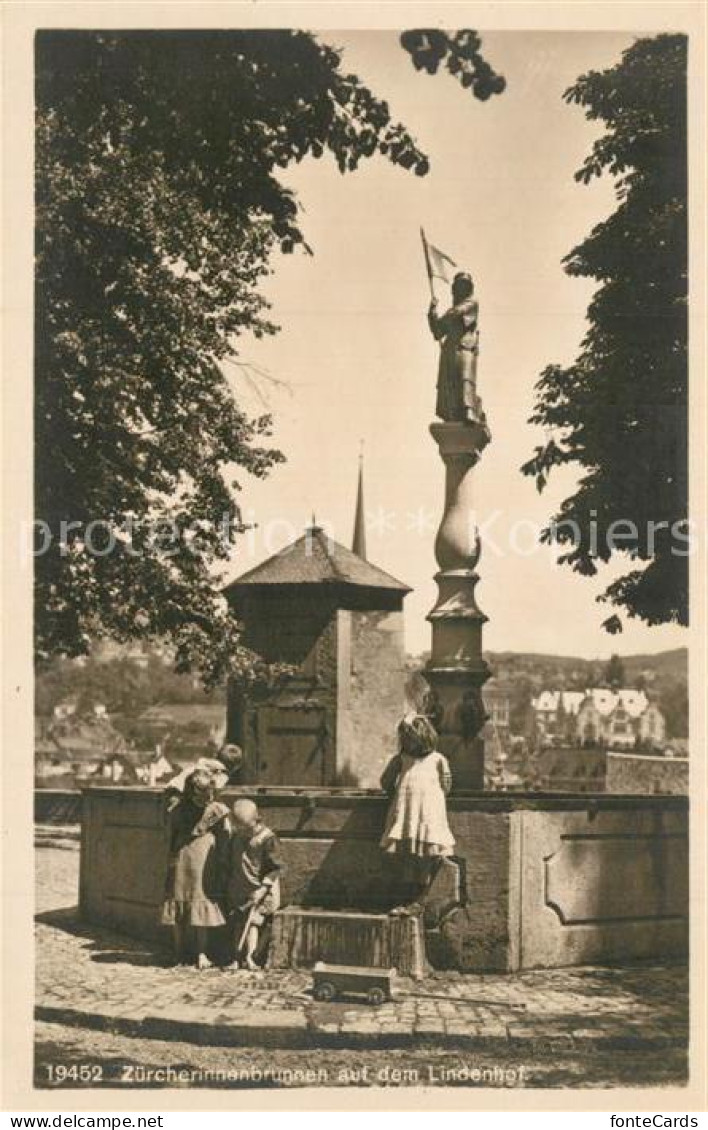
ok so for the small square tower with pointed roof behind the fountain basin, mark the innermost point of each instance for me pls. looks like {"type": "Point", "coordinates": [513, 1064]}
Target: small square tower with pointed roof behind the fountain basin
{"type": "Point", "coordinates": [338, 621]}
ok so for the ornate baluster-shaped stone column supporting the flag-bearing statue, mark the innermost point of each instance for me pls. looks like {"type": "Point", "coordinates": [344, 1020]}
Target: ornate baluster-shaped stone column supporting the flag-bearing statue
{"type": "Point", "coordinates": [457, 671]}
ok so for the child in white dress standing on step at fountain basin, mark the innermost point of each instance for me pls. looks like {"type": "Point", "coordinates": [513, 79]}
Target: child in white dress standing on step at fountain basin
{"type": "Point", "coordinates": [418, 779]}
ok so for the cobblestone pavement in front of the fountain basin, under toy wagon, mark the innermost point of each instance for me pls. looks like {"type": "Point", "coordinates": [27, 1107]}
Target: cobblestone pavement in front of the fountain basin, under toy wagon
{"type": "Point", "coordinates": [99, 981]}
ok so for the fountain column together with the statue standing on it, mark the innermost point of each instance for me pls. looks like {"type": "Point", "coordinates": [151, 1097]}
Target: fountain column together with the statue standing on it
{"type": "Point", "coordinates": [457, 671]}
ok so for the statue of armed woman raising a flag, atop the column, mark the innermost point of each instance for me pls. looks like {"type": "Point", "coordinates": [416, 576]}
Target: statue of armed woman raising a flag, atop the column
{"type": "Point", "coordinates": [458, 333]}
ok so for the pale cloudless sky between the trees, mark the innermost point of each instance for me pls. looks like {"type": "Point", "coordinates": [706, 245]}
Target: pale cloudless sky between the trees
{"type": "Point", "coordinates": [359, 364]}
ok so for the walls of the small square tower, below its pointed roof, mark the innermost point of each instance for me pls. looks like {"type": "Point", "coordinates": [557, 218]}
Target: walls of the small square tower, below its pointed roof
{"type": "Point", "coordinates": [334, 723]}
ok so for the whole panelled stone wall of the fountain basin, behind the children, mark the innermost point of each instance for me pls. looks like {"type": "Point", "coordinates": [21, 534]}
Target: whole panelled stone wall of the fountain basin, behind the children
{"type": "Point", "coordinates": [545, 881]}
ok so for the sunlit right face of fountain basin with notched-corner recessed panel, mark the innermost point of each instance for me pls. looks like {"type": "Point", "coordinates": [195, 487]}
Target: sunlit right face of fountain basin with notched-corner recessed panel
{"type": "Point", "coordinates": [605, 884]}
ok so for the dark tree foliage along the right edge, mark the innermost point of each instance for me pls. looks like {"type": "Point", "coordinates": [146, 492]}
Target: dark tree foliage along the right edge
{"type": "Point", "coordinates": [620, 411]}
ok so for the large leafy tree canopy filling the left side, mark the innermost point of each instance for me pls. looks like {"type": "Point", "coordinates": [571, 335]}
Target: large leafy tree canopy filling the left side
{"type": "Point", "coordinates": [159, 205]}
